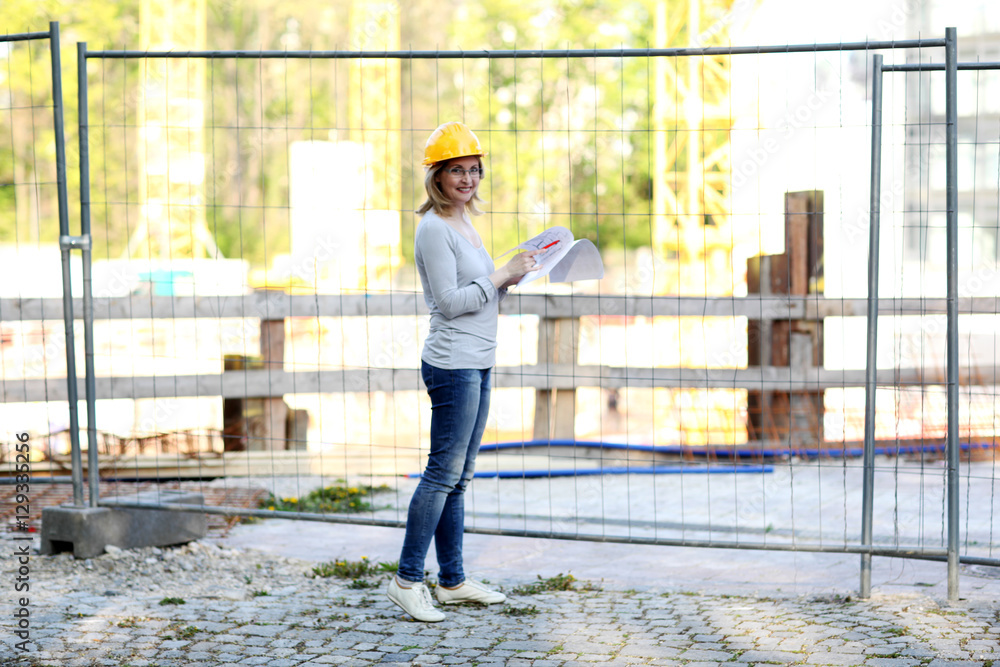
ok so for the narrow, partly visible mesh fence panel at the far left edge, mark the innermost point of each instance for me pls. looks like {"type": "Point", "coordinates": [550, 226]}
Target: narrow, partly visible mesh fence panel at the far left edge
{"type": "Point", "coordinates": [33, 333]}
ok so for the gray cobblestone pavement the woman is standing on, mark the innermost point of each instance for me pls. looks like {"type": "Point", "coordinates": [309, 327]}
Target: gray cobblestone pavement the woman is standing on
{"type": "Point", "coordinates": [202, 604]}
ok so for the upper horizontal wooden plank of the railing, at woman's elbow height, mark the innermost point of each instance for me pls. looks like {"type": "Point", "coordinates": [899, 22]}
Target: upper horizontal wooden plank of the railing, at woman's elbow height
{"type": "Point", "coordinates": [556, 306]}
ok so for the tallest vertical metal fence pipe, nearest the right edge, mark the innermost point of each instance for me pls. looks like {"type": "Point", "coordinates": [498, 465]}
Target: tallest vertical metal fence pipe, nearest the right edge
{"type": "Point", "coordinates": [951, 245]}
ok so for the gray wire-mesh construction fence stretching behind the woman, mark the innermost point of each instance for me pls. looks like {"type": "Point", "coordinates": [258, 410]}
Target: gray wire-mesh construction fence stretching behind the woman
{"type": "Point", "coordinates": [670, 405]}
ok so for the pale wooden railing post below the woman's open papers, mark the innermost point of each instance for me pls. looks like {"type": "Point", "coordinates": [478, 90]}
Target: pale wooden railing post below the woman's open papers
{"type": "Point", "coordinates": [555, 409]}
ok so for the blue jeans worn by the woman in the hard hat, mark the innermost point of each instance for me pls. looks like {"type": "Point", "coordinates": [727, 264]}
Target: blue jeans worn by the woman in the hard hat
{"type": "Point", "coordinates": [460, 401]}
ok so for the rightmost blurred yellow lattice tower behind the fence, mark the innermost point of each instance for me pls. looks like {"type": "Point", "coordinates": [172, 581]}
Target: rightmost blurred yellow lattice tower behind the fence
{"type": "Point", "coordinates": [692, 156]}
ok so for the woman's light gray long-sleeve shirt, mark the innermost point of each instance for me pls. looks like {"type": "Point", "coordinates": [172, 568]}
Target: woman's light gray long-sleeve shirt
{"type": "Point", "coordinates": [463, 301]}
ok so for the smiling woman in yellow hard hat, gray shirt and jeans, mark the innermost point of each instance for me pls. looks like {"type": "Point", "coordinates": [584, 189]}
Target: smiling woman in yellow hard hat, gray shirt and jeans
{"type": "Point", "coordinates": [463, 291]}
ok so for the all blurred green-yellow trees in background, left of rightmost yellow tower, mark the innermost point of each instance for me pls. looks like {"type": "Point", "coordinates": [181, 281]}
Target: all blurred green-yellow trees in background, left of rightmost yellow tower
{"type": "Point", "coordinates": [568, 138]}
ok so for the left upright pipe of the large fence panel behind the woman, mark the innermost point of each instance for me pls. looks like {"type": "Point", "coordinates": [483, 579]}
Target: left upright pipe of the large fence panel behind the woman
{"type": "Point", "coordinates": [93, 468]}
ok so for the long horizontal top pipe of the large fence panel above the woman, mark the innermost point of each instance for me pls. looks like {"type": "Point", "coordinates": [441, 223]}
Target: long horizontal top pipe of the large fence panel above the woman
{"type": "Point", "coordinates": [534, 53]}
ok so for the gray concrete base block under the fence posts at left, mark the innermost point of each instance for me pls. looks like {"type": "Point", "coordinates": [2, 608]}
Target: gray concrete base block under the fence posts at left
{"type": "Point", "coordinates": [86, 531]}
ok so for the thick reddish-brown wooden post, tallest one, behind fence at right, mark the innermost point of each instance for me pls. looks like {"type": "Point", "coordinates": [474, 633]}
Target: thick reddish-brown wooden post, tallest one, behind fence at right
{"type": "Point", "coordinates": [793, 417]}
